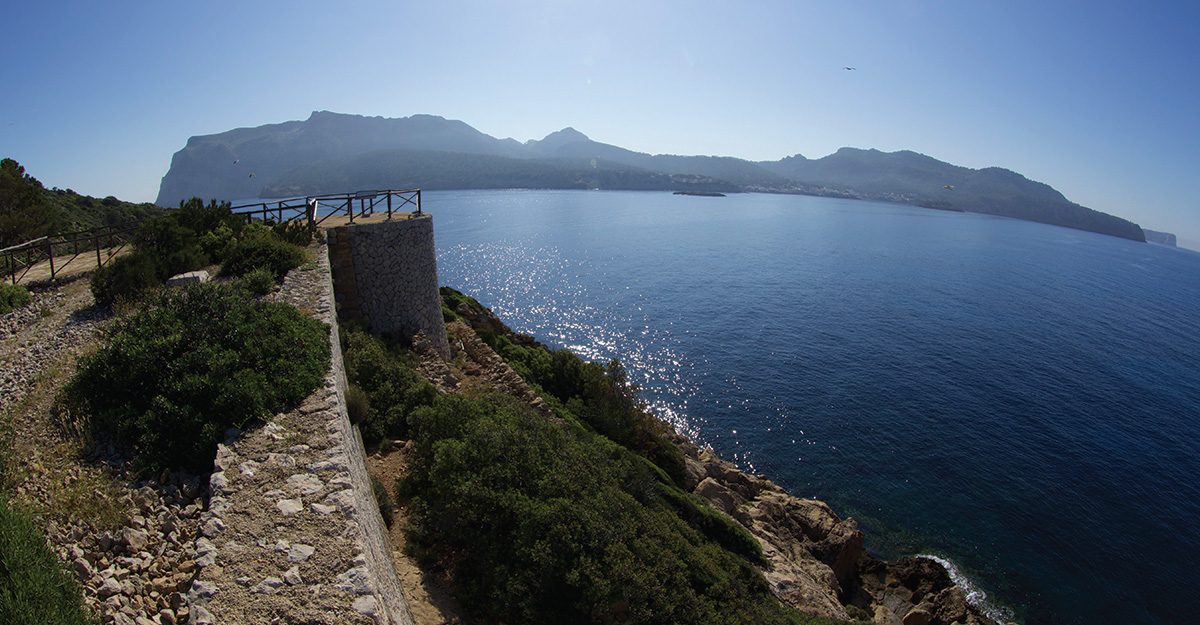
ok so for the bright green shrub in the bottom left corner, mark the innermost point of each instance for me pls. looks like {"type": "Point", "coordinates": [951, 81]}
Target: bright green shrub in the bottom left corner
{"type": "Point", "coordinates": [35, 587]}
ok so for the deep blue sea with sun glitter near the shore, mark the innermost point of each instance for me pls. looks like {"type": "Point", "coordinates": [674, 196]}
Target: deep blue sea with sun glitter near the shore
{"type": "Point", "coordinates": [1019, 400]}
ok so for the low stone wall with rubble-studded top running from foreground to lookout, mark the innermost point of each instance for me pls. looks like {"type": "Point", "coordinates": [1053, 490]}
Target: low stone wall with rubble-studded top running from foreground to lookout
{"type": "Point", "coordinates": [292, 533]}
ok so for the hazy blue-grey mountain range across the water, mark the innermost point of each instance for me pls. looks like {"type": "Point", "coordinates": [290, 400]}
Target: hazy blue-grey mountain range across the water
{"type": "Point", "coordinates": [333, 153]}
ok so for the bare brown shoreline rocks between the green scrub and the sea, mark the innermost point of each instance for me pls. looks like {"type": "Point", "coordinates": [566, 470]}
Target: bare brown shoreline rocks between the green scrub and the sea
{"type": "Point", "coordinates": [817, 560]}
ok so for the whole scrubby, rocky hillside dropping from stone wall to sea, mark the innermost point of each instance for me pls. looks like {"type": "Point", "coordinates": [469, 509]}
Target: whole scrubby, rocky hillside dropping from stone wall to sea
{"type": "Point", "coordinates": [539, 489]}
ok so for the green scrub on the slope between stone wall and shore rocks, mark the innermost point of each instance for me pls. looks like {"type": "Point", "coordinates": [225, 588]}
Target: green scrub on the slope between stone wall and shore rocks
{"type": "Point", "coordinates": [537, 520]}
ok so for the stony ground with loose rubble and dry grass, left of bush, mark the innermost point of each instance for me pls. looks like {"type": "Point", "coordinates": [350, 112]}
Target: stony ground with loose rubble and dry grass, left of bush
{"type": "Point", "coordinates": [129, 542]}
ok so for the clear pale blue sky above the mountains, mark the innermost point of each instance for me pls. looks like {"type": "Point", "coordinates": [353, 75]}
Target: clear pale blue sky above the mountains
{"type": "Point", "coordinates": [1096, 99]}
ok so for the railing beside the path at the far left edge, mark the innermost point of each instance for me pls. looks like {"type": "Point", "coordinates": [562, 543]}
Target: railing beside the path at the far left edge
{"type": "Point", "coordinates": [21, 259]}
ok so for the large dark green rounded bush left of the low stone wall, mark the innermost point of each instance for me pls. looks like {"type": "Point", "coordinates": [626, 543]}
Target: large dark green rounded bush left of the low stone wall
{"type": "Point", "coordinates": [191, 365]}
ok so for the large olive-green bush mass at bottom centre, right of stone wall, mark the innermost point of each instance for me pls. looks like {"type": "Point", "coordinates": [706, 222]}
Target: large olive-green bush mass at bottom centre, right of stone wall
{"type": "Point", "coordinates": [543, 524]}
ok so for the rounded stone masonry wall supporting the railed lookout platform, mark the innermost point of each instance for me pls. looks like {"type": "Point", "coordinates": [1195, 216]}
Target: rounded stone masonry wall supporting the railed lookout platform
{"type": "Point", "coordinates": [397, 278]}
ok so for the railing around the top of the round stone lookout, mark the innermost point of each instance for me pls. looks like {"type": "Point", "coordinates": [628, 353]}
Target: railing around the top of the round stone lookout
{"type": "Point", "coordinates": [316, 209]}
